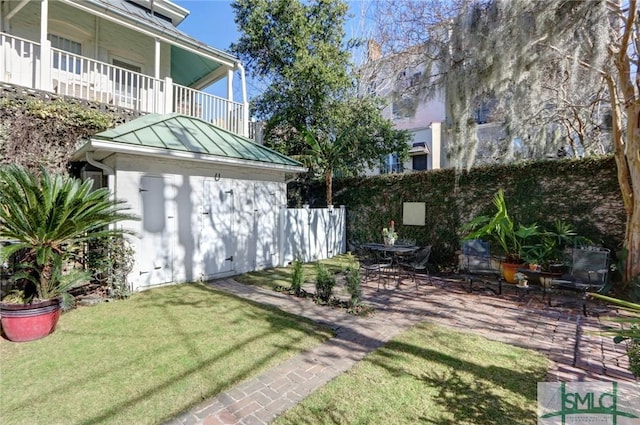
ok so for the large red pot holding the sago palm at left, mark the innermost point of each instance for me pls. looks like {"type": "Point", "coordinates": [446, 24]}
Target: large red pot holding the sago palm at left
{"type": "Point", "coordinates": [28, 322]}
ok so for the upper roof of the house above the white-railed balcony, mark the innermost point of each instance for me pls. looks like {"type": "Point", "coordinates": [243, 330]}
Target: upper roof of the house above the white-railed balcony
{"type": "Point", "coordinates": [193, 63]}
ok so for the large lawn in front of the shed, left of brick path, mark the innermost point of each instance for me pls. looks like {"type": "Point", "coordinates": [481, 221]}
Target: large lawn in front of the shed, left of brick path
{"type": "Point", "coordinates": [146, 359]}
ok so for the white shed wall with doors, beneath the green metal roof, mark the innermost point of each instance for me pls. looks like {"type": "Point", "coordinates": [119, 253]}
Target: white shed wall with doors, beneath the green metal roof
{"type": "Point", "coordinates": [208, 213]}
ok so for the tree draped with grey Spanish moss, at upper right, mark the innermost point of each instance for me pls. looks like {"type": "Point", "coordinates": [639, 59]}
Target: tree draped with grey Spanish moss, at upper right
{"type": "Point", "coordinates": [548, 64]}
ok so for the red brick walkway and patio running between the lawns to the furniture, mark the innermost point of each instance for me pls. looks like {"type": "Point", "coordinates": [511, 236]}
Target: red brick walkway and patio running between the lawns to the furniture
{"type": "Point", "coordinates": [570, 341]}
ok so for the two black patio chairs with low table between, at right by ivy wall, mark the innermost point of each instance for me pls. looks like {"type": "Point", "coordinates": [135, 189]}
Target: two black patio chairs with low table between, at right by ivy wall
{"type": "Point", "coordinates": [587, 271]}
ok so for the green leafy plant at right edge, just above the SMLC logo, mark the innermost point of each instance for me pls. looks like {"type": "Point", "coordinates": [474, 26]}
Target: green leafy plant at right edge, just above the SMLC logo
{"type": "Point", "coordinates": [629, 331]}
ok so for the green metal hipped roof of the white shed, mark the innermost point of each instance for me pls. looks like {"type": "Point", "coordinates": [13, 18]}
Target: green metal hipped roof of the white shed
{"type": "Point", "coordinates": [181, 136]}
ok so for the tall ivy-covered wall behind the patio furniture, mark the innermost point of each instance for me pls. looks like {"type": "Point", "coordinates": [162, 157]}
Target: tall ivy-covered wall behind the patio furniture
{"type": "Point", "coordinates": [581, 192]}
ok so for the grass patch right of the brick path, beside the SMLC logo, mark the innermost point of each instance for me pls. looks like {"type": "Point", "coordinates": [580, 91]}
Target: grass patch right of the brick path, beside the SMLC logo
{"type": "Point", "coordinates": [431, 375]}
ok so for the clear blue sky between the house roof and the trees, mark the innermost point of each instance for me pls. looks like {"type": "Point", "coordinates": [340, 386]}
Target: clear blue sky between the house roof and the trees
{"type": "Point", "coordinates": [211, 21]}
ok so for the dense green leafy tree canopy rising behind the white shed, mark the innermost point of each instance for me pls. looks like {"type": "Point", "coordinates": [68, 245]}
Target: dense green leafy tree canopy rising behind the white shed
{"type": "Point", "coordinates": [298, 50]}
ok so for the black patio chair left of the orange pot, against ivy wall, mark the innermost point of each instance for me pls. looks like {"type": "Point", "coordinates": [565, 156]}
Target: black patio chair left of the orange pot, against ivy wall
{"type": "Point", "coordinates": [477, 264]}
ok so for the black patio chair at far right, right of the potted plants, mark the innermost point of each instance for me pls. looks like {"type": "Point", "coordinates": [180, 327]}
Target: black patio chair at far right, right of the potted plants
{"type": "Point", "coordinates": [589, 273]}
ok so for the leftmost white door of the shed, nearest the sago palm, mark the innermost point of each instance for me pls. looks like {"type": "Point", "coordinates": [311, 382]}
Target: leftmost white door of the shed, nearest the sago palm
{"type": "Point", "coordinates": [158, 236]}
